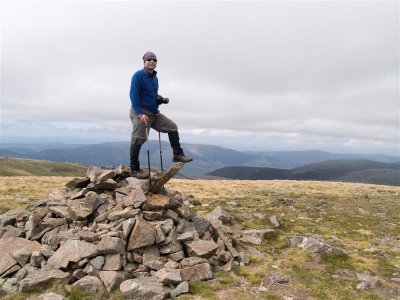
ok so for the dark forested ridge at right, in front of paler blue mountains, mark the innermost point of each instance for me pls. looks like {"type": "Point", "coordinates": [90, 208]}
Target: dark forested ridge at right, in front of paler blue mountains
{"type": "Point", "coordinates": [363, 171]}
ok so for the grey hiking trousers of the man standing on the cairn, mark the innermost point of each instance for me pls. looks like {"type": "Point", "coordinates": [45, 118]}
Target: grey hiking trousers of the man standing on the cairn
{"type": "Point", "coordinates": [158, 122]}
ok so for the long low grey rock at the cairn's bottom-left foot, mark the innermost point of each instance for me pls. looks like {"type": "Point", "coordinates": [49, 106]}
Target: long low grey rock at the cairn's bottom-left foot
{"type": "Point", "coordinates": [42, 278]}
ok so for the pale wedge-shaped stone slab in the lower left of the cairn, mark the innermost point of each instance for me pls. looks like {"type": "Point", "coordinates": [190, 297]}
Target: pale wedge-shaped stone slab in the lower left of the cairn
{"type": "Point", "coordinates": [71, 251]}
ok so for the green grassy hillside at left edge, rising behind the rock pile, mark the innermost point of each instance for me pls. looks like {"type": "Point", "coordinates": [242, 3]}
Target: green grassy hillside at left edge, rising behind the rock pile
{"type": "Point", "coordinates": [25, 167]}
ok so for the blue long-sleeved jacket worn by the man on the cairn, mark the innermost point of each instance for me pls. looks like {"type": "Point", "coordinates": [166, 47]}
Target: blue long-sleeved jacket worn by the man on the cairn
{"type": "Point", "coordinates": [144, 90]}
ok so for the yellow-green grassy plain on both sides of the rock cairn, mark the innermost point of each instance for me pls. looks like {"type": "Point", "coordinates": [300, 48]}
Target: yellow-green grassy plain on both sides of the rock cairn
{"type": "Point", "coordinates": [365, 218]}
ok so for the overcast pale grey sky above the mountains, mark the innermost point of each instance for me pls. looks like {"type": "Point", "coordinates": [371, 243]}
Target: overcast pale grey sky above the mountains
{"type": "Point", "coordinates": [263, 75]}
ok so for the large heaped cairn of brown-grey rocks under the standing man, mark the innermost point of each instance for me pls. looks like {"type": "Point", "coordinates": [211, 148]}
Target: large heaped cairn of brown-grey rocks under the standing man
{"type": "Point", "coordinates": [103, 232]}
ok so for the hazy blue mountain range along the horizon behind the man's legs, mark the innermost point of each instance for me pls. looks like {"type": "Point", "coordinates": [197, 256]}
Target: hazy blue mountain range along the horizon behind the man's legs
{"type": "Point", "coordinates": [207, 158]}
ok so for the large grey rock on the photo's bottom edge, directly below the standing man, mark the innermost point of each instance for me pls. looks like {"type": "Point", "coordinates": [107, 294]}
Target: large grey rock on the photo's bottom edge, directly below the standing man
{"type": "Point", "coordinates": [143, 288]}
